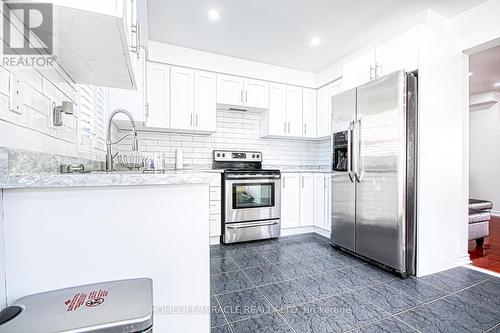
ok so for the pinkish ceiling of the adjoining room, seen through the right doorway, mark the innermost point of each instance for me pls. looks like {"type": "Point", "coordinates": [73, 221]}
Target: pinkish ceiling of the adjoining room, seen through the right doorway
{"type": "Point", "coordinates": [485, 69]}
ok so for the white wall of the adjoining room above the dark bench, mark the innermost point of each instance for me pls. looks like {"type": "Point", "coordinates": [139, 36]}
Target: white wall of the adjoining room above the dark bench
{"type": "Point", "coordinates": [484, 154]}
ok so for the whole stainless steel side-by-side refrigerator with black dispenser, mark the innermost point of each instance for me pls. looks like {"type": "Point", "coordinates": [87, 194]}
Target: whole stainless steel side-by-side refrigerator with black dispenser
{"type": "Point", "coordinates": [374, 171]}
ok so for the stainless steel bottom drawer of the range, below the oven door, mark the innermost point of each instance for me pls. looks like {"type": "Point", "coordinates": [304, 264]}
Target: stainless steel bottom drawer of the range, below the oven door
{"type": "Point", "coordinates": [247, 231]}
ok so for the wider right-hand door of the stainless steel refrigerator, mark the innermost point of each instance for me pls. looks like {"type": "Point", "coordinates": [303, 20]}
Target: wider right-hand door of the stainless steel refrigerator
{"type": "Point", "coordinates": [380, 164]}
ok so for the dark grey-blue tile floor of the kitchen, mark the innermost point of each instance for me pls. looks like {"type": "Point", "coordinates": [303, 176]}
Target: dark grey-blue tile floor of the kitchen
{"type": "Point", "coordinates": [301, 284]}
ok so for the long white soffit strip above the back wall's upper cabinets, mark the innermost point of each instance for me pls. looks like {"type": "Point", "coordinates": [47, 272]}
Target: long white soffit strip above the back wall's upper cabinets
{"type": "Point", "coordinates": [181, 56]}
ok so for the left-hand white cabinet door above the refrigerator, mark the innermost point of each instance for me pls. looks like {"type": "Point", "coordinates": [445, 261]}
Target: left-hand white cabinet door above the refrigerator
{"type": "Point", "coordinates": [359, 70]}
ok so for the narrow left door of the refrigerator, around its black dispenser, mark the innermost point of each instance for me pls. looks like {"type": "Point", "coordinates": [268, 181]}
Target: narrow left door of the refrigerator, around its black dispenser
{"type": "Point", "coordinates": [343, 185]}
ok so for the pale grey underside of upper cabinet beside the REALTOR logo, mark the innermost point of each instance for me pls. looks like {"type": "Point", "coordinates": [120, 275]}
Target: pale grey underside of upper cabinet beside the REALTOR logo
{"type": "Point", "coordinates": [91, 48]}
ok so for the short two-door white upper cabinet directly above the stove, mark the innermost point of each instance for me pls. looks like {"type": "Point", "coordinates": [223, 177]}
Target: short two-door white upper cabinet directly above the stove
{"type": "Point", "coordinates": [238, 92]}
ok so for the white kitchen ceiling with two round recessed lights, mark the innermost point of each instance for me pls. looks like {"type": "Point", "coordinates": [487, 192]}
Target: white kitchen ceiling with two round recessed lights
{"type": "Point", "coordinates": [279, 31]}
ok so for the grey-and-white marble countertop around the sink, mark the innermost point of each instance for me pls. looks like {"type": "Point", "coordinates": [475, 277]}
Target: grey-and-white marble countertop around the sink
{"type": "Point", "coordinates": [99, 179]}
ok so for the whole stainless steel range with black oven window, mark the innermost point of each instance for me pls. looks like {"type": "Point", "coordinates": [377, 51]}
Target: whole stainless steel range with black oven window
{"type": "Point", "coordinates": [251, 197]}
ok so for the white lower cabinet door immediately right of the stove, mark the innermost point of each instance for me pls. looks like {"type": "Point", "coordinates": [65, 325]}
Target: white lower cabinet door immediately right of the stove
{"type": "Point", "coordinates": [290, 200]}
